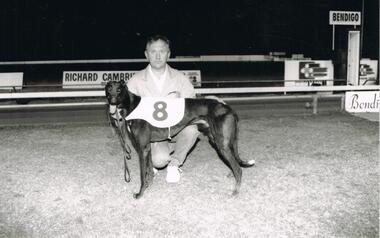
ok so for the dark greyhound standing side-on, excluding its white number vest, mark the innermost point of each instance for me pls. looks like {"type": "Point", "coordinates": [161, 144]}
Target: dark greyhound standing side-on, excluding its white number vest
{"type": "Point", "coordinates": [212, 117]}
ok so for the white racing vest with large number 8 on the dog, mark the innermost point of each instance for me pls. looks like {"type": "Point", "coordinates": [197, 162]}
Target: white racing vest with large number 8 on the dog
{"type": "Point", "coordinates": [160, 112]}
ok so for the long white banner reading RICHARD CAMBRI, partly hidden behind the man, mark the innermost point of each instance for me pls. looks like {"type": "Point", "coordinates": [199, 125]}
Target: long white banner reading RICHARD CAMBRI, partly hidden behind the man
{"type": "Point", "coordinates": [97, 79]}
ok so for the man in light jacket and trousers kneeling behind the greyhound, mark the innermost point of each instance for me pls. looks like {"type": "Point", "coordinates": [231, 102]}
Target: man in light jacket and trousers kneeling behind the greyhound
{"type": "Point", "coordinates": [158, 79]}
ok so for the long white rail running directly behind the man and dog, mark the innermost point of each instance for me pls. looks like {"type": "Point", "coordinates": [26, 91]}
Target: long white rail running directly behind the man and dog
{"type": "Point", "coordinates": [227, 94]}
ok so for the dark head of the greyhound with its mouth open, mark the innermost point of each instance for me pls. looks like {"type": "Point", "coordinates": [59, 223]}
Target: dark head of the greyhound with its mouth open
{"type": "Point", "coordinates": [116, 92]}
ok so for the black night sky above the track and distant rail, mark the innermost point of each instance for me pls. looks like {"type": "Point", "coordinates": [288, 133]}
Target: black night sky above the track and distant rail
{"type": "Point", "coordinates": [101, 29]}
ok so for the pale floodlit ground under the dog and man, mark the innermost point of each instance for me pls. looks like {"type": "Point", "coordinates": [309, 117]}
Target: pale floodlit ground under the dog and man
{"type": "Point", "coordinates": [316, 176]}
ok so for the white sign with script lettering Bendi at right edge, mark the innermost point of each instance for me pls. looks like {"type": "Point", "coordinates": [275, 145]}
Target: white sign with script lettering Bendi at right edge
{"type": "Point", "coordinates": [362, 101]}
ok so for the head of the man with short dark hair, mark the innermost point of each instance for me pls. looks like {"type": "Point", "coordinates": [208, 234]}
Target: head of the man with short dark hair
{"type": "Point", "coordinates": [157, 53]}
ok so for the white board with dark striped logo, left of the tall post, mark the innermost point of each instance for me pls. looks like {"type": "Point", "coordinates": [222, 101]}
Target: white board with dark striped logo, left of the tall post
{"type": "Point", "coordinates": [309, 72]}
